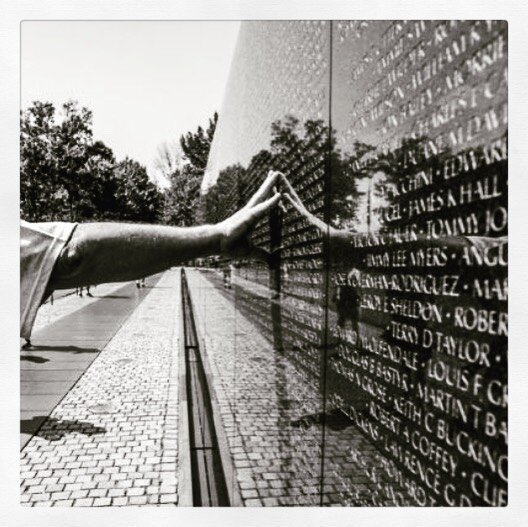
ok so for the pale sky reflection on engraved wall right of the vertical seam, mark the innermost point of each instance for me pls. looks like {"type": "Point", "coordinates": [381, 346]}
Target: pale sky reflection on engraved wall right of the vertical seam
{"type": "Point", "coordinates": [422, 92]}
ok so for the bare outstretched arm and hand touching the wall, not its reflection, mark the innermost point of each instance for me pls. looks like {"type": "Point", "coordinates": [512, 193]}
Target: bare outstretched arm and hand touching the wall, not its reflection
{"type": "Point", "coordinates": [115, 252]}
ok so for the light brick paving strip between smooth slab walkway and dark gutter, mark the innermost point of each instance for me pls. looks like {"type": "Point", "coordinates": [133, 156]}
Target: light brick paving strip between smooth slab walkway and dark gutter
{"type": "Point", "coordinates": [113, 440]}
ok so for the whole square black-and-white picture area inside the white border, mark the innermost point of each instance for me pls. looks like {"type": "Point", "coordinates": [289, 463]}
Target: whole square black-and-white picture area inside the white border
{"type": "Point", "coordinates": [264, 263]}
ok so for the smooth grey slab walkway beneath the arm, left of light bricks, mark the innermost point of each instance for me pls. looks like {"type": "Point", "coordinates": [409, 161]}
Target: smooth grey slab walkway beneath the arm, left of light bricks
{"type": "Point", "coordinates": [64, 348]}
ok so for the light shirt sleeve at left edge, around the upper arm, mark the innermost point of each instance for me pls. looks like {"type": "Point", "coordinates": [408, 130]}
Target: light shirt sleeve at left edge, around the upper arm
{"type": "Point", "coordinates": [40, 246]}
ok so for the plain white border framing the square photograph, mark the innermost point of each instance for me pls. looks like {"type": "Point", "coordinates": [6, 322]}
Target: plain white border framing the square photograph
{"type": "Point", "coordinates": [14, 12]}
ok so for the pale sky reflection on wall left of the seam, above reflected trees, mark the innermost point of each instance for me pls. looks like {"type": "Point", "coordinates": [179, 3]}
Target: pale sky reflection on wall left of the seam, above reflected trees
{"type": "Point", "coordinates": [270, 87]}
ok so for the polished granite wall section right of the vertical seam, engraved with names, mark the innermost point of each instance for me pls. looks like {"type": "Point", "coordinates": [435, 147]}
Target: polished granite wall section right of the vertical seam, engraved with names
{"type": "Point", "coordinates": [420, 324]}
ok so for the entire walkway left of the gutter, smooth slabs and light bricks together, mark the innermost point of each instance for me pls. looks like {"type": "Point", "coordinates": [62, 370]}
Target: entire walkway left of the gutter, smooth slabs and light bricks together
{"type": "Point", "coordinates": [112, 439]}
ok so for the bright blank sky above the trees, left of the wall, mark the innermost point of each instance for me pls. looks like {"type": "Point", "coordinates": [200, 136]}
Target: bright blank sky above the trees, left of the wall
{"type": "Point", "coordinates": [145, 82]}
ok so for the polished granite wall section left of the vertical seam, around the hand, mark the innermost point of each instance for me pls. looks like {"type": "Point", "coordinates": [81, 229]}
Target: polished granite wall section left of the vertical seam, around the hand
{"type": "Point", "coordinates": [275, 116]}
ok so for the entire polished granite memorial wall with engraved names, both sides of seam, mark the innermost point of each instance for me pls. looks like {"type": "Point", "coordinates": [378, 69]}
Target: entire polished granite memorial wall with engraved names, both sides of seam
{"type": "Point", "coordinates": [394, 134]}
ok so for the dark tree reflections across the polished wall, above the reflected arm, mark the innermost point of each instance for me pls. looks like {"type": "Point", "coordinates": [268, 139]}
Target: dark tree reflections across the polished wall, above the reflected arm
{"type": "Point", "coordinates": [364, 182]}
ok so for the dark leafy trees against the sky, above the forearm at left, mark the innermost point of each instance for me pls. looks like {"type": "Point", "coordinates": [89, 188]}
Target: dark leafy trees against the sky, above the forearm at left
{"type": "Point", "coordinates": [66, 175]}
